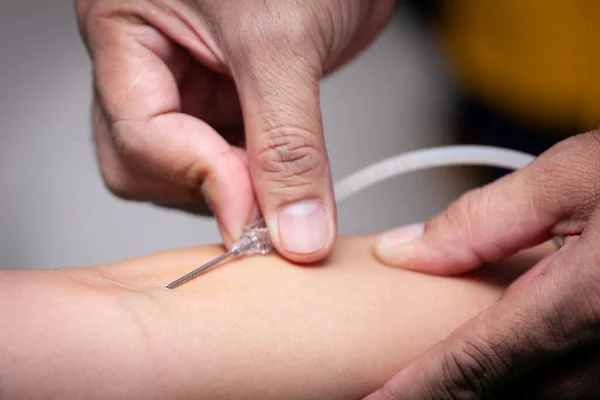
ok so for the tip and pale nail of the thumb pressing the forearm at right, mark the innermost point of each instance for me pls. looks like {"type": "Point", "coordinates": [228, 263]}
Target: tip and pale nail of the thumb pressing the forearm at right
{"type": "Point", "coordinates": [394, 246]}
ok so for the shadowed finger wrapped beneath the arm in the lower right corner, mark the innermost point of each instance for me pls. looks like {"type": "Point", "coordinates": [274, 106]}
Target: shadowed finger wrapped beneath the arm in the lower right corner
{"type": "Point", "coordinates": [556, 312]}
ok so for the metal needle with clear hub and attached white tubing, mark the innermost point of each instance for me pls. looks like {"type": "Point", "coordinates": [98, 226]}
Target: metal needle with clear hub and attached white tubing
{"type": "Point", "coordinates": [256, 240]}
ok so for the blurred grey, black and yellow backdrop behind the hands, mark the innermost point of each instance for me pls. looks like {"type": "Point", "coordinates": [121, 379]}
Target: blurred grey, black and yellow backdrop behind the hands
{"type": "Point", "coordinates": [409, 90]}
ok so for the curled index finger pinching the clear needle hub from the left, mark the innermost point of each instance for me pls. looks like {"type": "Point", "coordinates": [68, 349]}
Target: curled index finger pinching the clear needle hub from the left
{"type": "Point", "coordinates": [135, 74]}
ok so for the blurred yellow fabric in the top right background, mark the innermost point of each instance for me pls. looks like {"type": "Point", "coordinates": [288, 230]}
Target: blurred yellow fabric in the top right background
{"type": "Point", "coordinates": [535, 59]}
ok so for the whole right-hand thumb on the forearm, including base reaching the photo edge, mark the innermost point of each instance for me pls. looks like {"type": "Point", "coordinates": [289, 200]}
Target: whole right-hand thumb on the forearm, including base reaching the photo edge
{"type": "Point", "coordinates": [553, 195]}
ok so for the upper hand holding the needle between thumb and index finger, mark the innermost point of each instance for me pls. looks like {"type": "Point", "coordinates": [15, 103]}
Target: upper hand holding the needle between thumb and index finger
{"type": "Point", "coordinates": [173, 80]}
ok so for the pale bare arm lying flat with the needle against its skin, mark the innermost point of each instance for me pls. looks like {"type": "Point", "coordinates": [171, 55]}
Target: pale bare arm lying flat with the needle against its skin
{"type": "Point", "coordinates": [254, 328]}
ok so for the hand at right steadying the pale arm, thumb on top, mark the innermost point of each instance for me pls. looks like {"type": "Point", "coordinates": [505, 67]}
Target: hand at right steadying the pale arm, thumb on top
{"type": "Point", "coordinates": [541, 340]}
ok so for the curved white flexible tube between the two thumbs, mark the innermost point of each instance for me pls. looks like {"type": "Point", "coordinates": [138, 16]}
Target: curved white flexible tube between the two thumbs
{"type": "Point", "coordinates": [444, 156]}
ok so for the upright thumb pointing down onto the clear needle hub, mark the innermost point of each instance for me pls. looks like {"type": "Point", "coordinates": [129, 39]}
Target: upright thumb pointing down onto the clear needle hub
{"type": "Point", "coordinates": [279, 91]}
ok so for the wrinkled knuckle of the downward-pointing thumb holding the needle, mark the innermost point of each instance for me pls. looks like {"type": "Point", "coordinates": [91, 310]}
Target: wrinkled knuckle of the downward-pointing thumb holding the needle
{"type": "Point", "coordinates": [290, 157]}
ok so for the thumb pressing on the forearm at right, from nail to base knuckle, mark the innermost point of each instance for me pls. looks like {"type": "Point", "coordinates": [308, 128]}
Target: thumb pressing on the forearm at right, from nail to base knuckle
{"type": "Point", "coordinates": [482, 226]}
